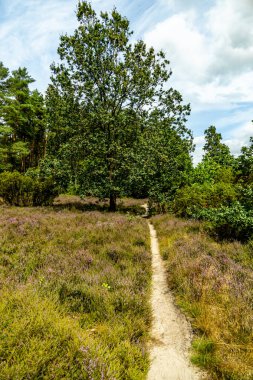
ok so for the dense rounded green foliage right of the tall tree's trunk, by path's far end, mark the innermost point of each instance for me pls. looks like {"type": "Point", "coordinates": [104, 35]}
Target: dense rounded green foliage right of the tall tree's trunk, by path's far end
{"type": "Point", "coordinates": [162, 159]}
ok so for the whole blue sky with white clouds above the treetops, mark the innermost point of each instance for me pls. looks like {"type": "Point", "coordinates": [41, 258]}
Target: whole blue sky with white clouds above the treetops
{"type": "Point", "coordinates": [209, 44]}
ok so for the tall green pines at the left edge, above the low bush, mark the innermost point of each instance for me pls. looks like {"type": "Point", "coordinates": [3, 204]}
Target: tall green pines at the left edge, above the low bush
{"type": "Point", "coordinates": [22, 121]}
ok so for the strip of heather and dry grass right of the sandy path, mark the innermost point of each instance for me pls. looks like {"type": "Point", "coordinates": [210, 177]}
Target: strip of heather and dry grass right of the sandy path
{"type": "Point", "coordinates": [212, 283]}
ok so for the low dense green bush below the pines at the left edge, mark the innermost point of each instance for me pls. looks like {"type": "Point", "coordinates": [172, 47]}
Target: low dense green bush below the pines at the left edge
{"type": "Point", "coordinates": [22, 190]}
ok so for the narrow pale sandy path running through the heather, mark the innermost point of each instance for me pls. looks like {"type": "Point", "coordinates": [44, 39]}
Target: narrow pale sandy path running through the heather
{"type": "Point", "coordinates": [171, 333]}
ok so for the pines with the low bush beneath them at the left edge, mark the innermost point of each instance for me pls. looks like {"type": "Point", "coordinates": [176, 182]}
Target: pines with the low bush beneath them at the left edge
{"type": "Point", "coordinates": [23, 134]}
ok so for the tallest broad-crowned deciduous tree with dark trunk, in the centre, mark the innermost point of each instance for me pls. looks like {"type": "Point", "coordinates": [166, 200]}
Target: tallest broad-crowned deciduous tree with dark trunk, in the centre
{"type": "Point", "coordinates": [108, 95]}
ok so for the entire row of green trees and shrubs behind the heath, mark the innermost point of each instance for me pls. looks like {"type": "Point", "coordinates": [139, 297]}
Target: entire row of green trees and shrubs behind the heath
{"type": "Point", "coordinates": [109, 126]}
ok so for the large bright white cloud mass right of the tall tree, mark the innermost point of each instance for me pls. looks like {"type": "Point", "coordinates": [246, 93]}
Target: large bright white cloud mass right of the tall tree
{"type": "Point", "coordinates": [211, 52]}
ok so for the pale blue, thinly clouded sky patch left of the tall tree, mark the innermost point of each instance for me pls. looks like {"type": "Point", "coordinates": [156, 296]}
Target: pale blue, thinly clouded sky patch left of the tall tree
{"type": "Point", "coordinates": [30, 35]}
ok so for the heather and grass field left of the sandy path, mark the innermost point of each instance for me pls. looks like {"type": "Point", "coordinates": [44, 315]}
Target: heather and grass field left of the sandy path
{"type": "Point", "coordinates": [74, 294]}
